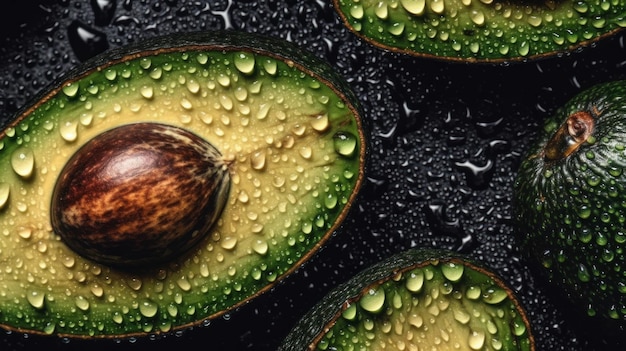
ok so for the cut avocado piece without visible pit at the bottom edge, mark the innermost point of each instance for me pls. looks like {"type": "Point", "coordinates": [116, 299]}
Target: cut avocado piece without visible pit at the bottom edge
{"type": "Point", "coordinates": [416, 299]}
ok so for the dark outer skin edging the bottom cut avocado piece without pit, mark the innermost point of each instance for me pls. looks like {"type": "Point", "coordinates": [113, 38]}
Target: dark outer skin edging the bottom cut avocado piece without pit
{"type": "Point", "coordinates": [311, 328]}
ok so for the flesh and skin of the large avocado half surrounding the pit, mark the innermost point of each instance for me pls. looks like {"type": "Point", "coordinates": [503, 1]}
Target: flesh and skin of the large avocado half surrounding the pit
{"type": "Point", "coordinates": [213, 83]}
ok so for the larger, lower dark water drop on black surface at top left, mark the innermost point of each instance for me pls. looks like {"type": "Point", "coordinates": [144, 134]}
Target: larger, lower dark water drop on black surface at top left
{"type": "Point", "coordinates": [85, 41]}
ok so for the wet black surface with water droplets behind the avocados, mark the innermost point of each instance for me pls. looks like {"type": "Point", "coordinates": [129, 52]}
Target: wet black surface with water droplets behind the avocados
{"type": "Point", "coordinates": [446, 140]}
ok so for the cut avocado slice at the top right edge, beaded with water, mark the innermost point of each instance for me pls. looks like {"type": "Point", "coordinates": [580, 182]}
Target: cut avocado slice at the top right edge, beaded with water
{"type": "Point", "coordinates": [482, 30]}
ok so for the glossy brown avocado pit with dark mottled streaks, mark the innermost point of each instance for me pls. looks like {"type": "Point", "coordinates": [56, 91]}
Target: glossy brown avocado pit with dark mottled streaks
{"type": "Point", "coordinates": [139, 194]}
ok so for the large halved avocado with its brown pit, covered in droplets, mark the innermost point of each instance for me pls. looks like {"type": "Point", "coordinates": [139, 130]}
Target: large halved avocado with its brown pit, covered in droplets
{"type": "Point", "coordinates": [164, 184]}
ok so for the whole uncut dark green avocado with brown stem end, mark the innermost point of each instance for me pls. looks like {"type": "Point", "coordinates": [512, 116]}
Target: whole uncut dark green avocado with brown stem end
{"type": "Point", "coordinates": [570, 201]}
